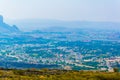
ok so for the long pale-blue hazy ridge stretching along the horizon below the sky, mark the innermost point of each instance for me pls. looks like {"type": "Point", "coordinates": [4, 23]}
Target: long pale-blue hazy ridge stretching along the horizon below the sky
{"type": "Point", "coordinates": [51, 25]}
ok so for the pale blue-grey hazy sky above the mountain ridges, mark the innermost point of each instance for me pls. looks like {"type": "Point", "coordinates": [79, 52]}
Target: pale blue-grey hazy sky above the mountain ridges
{"type": "Point", "coordinates": [85, 10]}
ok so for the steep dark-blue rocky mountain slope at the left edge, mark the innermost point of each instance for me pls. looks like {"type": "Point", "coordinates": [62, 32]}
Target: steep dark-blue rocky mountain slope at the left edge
{"type": "Point", "coordinates": [5, 28]}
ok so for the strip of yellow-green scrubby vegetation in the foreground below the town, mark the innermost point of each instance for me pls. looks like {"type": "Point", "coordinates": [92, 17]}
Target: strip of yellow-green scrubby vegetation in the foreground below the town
{"type": "Point", "coordinates": [46, 74]}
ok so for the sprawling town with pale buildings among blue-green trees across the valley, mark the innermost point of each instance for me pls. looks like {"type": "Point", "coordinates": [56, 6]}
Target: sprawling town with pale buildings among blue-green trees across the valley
{"type": "Point", "coordinates": [83, 50]}
